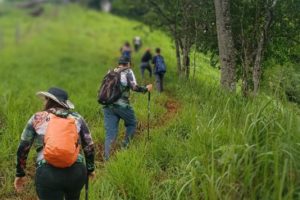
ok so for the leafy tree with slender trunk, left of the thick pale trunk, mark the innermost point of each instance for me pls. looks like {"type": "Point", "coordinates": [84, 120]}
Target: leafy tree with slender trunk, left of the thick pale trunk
{"type": "Point", "coordinates": [176, 18]}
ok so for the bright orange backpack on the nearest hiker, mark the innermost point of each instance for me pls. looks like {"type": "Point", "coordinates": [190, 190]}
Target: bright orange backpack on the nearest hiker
{"type": "Point", "coordinates": [61, 142]}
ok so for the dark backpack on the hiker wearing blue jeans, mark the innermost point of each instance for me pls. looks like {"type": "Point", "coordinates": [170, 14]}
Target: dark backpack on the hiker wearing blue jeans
{"type": "Point", "coordinates": [110, 90]}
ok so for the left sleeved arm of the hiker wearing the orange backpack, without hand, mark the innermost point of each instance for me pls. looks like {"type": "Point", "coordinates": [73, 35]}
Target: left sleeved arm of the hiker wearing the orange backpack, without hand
{"type": "Point", "coordinates": [27, 139]}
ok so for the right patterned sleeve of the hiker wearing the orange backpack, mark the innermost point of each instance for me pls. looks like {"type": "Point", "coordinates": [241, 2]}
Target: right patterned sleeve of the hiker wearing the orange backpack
{"type": "Point", "coordinates": [87, 146]}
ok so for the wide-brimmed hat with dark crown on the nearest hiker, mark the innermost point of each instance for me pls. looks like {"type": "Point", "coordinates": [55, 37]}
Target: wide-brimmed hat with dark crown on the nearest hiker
{"type": "Point", "coordinates": [58, 95]}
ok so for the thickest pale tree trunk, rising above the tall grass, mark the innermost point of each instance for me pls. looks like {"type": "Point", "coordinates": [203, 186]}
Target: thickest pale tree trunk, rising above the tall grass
{"type": "Point", "coordinates": [225, 43]}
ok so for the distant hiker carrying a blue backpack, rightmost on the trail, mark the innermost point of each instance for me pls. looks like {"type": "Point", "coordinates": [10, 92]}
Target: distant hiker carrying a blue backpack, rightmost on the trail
{"type": "Point", "coordinates": [159, 69]}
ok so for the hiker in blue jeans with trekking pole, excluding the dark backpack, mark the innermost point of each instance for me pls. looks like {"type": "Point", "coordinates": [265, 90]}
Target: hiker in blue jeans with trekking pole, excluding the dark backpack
{"type": "Point", "coordinates": [121, 109]}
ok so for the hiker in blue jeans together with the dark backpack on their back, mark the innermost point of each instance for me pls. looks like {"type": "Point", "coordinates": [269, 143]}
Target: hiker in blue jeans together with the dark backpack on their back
{"type": "Point", "coordinates": [119, 108]}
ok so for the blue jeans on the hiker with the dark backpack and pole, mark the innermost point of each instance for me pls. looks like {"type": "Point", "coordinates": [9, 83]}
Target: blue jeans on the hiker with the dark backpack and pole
{"type": "Point", "coordinates": [112, 116]}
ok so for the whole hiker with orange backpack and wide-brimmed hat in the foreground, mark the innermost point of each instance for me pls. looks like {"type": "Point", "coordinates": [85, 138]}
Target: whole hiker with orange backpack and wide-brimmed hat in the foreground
{"type": "Point", "coordinates": [58, 133]}
